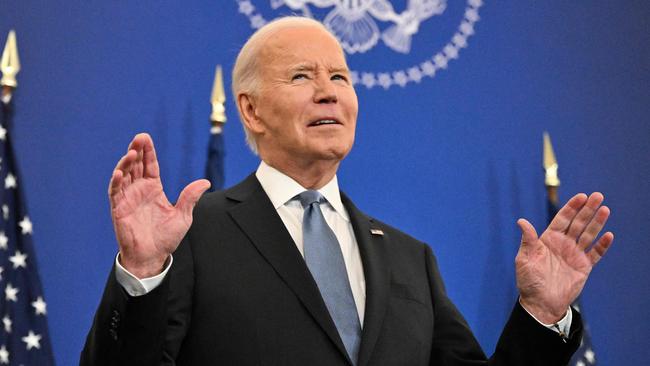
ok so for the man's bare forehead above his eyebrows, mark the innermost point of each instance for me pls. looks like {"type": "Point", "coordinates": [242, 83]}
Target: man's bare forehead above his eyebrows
{"type": "Point", "coordinates": [302, 45]}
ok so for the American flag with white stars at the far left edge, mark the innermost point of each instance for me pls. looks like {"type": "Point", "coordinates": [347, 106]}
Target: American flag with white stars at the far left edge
{"type": "Point", "coordinates": [24, 338]}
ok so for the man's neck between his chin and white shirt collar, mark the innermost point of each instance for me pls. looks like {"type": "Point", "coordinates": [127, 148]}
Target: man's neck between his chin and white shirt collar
{"type": "Point", "coordinates": [311, 175]}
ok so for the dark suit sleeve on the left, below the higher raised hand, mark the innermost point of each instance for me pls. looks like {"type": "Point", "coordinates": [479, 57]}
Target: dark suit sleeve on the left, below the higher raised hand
{"type": "Point", "coordinates": [143, 330]}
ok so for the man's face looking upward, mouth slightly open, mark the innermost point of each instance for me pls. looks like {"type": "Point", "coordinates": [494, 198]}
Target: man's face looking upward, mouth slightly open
{"type": "Point", "coordinates": [306, 106]}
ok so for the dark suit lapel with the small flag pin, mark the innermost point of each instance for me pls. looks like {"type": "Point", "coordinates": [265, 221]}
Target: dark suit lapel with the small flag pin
{"type": "Point", "coordinates": [372, 246]}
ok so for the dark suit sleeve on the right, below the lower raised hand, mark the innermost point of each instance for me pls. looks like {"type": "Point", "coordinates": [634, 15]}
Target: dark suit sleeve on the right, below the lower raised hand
{"type": "Point", "coordinates": [523, 341]}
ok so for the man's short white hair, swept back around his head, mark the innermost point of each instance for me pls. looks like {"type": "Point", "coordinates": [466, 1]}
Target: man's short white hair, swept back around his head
{"type": "Point", "coordinates": [245, 73]}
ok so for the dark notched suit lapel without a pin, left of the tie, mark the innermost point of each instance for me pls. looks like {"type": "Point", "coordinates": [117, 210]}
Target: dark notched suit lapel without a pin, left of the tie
{"type": "Point", "coordinates": [257, 217]}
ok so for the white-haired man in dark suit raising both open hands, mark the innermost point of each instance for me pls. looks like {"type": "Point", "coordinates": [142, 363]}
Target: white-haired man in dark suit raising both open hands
{"type": "Point", "coordinates": [255, 281]}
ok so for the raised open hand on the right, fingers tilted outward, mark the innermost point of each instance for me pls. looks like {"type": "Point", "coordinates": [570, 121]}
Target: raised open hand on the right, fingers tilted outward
{"type": "Point", "coordinates": [552, 269]}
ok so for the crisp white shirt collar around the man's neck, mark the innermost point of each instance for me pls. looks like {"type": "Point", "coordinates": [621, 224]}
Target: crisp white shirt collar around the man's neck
{"type": "Point", "coordinates": [281, 189]}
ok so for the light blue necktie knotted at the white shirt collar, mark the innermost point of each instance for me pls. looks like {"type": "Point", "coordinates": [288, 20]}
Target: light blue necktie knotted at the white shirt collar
{"type": "Point", "coordinates": [325, 261]}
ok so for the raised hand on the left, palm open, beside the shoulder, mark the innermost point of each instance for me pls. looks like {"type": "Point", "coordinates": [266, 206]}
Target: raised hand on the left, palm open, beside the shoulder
{"type": "Point", "coordinates": [147, 226]}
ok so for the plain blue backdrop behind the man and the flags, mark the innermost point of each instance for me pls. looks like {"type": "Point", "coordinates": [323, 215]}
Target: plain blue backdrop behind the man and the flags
{"type": "Point", "coordinates": [462, 148]}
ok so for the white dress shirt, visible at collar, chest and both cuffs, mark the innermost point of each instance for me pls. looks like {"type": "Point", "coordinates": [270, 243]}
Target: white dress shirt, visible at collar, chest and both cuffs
{"type": "Point", "coordinates": [281, 190]}
